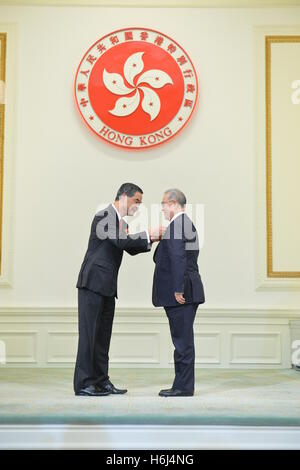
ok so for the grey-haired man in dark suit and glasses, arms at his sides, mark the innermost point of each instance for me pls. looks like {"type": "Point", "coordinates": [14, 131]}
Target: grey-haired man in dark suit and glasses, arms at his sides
{"type": "Point", "coordinates": [177, 287]}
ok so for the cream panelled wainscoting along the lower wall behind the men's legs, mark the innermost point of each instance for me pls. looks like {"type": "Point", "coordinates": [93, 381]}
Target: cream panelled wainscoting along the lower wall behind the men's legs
{"type": "Point", "coordinates": [224, 338]}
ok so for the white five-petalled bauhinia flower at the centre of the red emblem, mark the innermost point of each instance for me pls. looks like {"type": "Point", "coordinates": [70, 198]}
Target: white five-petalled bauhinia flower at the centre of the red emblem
{"type": "Point", "coordinates": [134, 65]}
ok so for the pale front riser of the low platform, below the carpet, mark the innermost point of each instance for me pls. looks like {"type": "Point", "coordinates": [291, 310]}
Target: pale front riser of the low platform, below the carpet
{"type": "Point", "coordinates": [149, 437]}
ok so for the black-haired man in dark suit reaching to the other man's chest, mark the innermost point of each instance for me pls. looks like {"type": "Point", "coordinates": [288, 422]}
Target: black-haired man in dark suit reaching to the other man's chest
{"type": "Point", "coordinates": [97, 289]}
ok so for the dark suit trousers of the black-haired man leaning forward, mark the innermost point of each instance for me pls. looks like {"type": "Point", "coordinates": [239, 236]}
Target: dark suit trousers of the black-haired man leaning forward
{"type": "Point", "coordinates": [95, 319]}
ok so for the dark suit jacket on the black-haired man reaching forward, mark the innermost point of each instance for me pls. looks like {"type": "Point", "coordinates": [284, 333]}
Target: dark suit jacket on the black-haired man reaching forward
{"type": "Point", "coordinates": [107, 242]}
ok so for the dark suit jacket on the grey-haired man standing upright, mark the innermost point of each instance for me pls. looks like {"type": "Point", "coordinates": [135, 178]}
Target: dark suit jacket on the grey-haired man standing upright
{"type": "Point", "coordinates": [176, 268]}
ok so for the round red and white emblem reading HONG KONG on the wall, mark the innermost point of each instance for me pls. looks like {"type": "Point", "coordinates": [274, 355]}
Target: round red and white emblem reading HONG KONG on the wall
{"type": "Point", "coordinates": [136, 88]}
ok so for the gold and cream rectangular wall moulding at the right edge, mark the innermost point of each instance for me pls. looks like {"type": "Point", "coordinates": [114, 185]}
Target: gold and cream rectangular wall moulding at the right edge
{"type": "Point", "coordinates": [266, 278]}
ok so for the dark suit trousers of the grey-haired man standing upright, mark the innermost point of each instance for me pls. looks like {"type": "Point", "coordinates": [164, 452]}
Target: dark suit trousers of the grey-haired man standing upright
{"type": "Point", "coordinates": [181, 321]}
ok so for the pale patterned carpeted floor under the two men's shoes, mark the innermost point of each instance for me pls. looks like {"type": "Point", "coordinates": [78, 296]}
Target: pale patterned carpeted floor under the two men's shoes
{"type": "Point", "coordinates": [223, 397]}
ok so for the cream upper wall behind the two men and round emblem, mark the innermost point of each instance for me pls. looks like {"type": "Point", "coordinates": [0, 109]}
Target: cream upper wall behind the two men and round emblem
{"type": "Point", "coordinates": [62, 171]}
